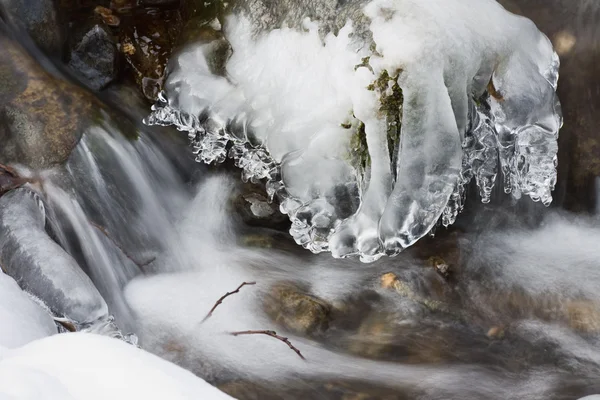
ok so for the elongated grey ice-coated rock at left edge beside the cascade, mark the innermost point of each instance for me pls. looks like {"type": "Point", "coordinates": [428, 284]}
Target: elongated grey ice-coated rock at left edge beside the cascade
{"type": "Point", "coordinates": [39, 265]}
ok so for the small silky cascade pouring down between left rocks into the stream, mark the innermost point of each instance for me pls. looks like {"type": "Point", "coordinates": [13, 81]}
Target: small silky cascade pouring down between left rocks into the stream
{"type": "Point", "coordinates": [111, 208]}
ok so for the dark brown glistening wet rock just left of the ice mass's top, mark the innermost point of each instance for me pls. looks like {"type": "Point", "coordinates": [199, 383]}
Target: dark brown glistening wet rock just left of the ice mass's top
{"type": "Point", "coordinates": [147, 40]}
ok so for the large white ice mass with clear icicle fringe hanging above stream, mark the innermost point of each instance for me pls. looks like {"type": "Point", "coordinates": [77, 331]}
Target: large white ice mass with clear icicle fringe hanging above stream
{"type": "Point", "coordinates": [368, 140]}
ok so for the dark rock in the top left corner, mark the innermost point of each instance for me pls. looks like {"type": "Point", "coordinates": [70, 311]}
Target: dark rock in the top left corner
{"type": "Point", "coordinates": [40, 19]}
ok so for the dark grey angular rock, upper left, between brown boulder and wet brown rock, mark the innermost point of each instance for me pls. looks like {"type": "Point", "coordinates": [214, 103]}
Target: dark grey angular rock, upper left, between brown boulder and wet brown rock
{"type": "Point", "coordinates": [93, 54]}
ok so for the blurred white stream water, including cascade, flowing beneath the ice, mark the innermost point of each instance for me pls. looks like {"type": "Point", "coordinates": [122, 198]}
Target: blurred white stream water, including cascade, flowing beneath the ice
{"type": "Point", "coordinates": [504, 305]}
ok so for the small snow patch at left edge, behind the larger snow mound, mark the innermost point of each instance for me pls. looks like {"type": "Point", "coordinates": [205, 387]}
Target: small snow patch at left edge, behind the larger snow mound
{"type": "Point", "coordinates": [22, 320]}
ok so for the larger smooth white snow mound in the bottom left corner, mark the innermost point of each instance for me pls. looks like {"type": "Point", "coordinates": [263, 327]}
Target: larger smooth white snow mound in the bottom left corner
{"type": "Point", "coordinates": [80, 366]}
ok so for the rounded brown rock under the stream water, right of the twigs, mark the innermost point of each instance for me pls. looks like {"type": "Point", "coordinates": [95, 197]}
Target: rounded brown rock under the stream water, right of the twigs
{"type": "Point", "coordinates": [296, 310]}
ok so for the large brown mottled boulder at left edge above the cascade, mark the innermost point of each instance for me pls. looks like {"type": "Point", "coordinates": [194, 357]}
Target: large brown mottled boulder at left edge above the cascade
{"type": "Point", "coordinates": [42, 117]}
